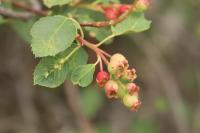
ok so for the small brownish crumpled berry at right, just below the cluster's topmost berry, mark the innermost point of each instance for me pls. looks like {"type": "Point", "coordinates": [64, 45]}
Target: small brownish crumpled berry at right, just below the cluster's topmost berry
{"type": "Point", "coordinates": [129, 75]}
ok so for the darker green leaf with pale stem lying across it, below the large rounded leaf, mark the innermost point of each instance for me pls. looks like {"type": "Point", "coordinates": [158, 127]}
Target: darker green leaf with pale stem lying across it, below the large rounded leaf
{"type": "Point", "coordinates": [52, 71]}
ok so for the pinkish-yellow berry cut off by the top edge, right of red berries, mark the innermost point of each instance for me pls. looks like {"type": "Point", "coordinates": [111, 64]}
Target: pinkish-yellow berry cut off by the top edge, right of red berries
{"type": "Point", "coordinates": [142, 5]}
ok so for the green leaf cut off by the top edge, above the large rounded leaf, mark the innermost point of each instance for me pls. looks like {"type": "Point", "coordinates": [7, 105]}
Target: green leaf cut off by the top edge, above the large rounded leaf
{"type": "Point", "coordinates": [51, 3]}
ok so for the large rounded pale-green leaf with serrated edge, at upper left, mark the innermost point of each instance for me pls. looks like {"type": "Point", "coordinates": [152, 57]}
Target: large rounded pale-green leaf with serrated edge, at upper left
{"type": "Point", "coordinates": [51, 35]}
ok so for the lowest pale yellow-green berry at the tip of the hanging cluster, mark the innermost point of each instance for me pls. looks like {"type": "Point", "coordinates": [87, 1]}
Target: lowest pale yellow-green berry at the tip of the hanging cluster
{"type": "Point", "coordinates": [132, 102]}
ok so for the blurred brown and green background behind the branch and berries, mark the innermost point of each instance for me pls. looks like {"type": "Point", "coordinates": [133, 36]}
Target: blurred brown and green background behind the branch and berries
{"type": "Point", "coordinates": [167, 60]}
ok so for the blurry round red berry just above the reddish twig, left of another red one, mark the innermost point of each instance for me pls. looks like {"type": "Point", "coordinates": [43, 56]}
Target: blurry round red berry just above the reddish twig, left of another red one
{"type": "Point", "coordinates": [111, 13]}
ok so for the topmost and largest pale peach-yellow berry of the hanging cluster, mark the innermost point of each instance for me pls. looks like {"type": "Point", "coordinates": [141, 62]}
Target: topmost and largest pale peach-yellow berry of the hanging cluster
{"type": "Point", "coordinates": [118, 64]}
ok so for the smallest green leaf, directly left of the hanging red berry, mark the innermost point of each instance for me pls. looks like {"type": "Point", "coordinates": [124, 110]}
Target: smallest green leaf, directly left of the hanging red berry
{"type": "Point", "coordinates": [83, 75]}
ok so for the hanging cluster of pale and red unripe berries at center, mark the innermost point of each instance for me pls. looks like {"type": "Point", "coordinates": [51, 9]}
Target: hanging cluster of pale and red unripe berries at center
{"type": "Point", "coordinates": [118, 83]}
